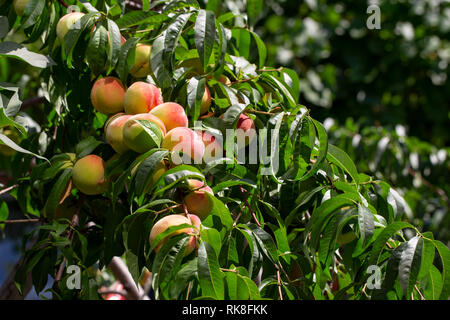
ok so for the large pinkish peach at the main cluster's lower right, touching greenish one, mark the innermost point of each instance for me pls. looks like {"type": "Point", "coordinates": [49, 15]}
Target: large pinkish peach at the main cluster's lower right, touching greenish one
{"type": "Point", "coordinates": [188, 142]}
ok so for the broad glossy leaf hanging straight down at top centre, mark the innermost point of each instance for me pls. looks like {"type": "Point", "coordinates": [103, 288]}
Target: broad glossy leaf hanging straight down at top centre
{"type": "Point", "coordinates": [205, 35]}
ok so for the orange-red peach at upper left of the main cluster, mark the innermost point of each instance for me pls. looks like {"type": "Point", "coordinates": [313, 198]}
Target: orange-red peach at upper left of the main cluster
{"type": "Point", "coordinates": [107, 95]}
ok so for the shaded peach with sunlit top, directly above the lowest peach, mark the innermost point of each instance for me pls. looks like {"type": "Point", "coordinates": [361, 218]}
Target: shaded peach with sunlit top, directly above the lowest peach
{"type": "Point", "coordinates": [197, 202]}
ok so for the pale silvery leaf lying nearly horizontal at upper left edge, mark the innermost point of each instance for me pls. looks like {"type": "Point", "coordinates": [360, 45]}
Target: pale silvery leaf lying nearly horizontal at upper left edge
{"type": "Point", "coordinates": [14, 50]}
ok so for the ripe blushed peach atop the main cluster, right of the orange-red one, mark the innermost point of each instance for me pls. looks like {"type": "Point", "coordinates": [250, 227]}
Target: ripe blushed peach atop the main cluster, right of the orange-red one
{"type": "Point", "coordinates": [141, 97]}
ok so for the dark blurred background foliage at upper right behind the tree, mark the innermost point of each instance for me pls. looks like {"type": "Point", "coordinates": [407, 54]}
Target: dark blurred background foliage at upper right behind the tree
{"type": "Point", "coordinates": [383, 94]}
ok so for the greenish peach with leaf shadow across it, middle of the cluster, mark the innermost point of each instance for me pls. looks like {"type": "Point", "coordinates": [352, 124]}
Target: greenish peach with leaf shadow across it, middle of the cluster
{"type": "Point", "coordinates": [137, 138]}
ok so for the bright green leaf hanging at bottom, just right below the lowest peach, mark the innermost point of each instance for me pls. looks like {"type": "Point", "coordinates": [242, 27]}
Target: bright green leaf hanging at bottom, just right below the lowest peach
{"type": "Point", "coordinates": [209, 274]}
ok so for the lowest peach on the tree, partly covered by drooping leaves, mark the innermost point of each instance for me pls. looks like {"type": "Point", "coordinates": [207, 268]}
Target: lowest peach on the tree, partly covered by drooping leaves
{"type": "Point", "coordinates": [176, 220]}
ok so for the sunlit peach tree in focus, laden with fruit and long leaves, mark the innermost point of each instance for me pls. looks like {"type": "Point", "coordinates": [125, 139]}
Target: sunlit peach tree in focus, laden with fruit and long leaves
{"type": "Point", "coordinates": [161, 149]}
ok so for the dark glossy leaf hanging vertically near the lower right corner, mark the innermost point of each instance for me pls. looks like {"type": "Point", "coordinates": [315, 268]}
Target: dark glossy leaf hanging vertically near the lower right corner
{"type": "Point", "coordinates": [409, 264]}
